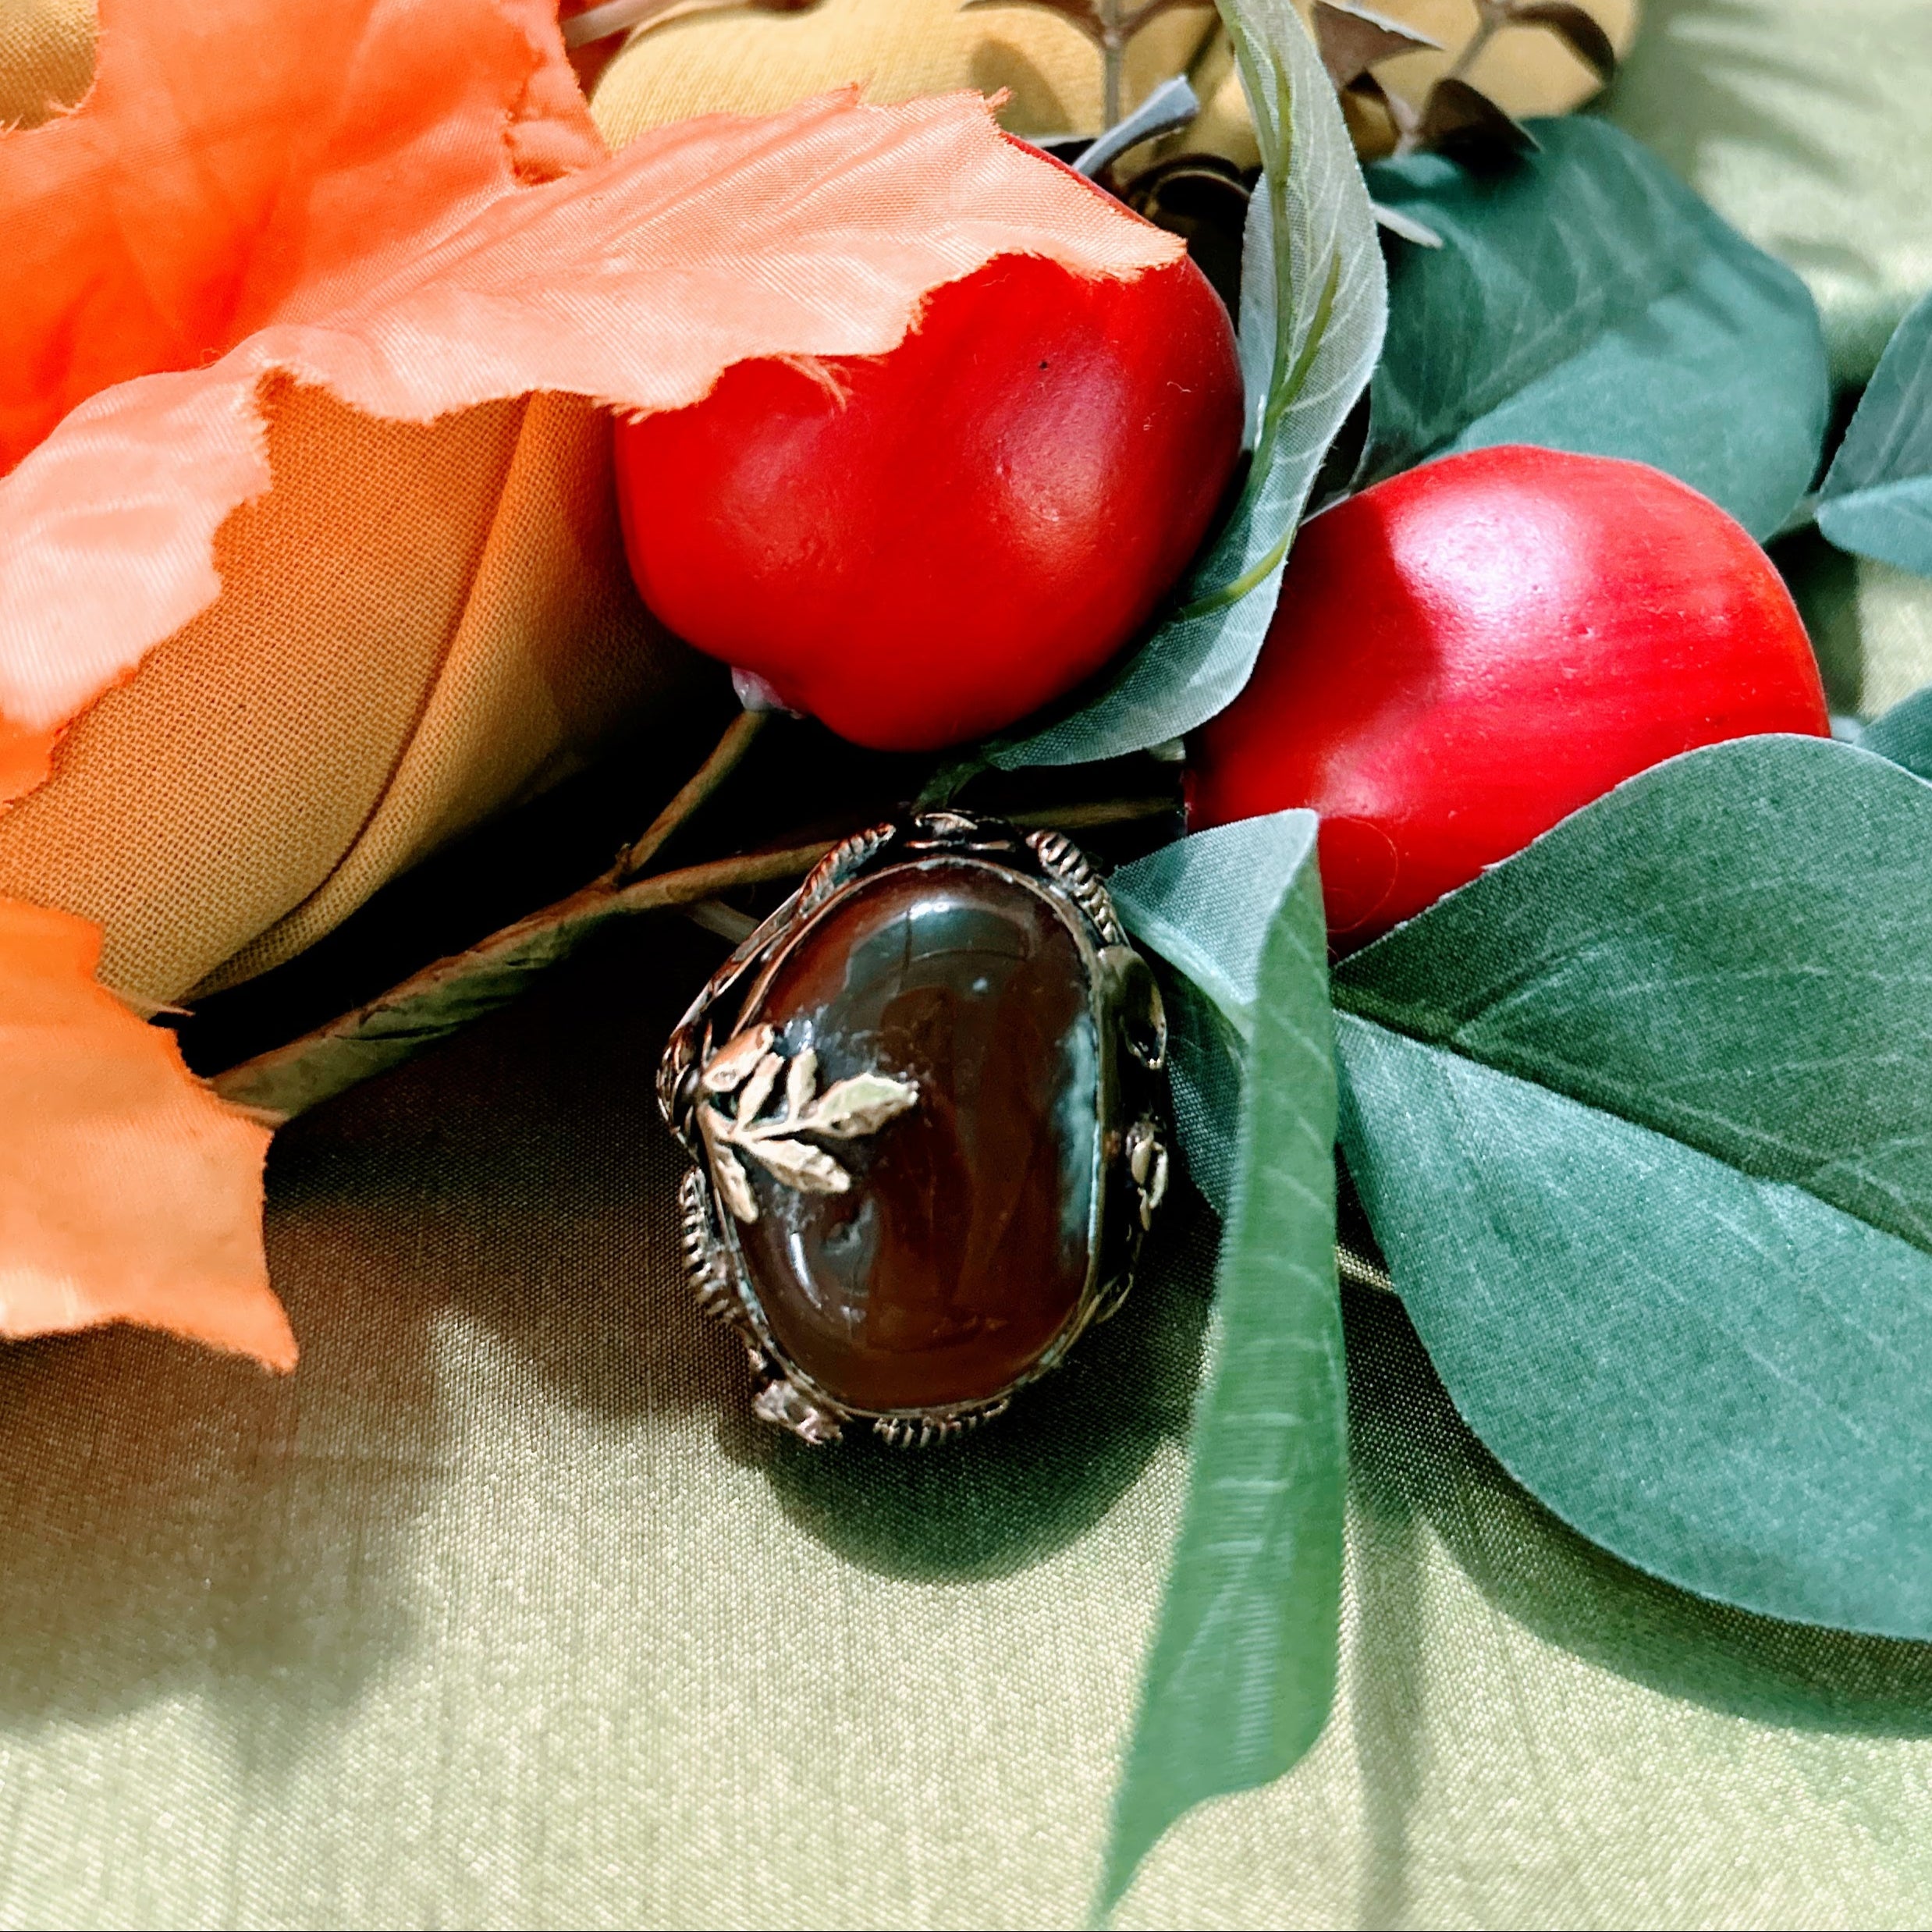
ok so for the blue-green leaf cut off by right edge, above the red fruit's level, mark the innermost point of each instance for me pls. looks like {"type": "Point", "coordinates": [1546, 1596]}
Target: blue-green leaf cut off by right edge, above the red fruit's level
{"type": "Point", "coordinates": [1877, 497]}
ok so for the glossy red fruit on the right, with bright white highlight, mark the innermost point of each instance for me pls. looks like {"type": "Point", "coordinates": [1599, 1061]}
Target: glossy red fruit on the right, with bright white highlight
{"type": "Point", "coordinates": [1477, 648]}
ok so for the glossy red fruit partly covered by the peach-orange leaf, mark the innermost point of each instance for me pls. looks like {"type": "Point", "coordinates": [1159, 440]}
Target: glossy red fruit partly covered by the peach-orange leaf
{"type": "Point", "coordinates": [963, 528]}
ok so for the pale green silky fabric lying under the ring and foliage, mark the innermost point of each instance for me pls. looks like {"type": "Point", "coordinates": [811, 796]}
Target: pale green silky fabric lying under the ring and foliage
{"type": "Point", "coordinates": [505, 1612]}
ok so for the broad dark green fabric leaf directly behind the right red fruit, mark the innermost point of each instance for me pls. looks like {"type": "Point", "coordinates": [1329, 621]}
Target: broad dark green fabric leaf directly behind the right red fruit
{"type": "Point", "coordinates": [1587, 300]}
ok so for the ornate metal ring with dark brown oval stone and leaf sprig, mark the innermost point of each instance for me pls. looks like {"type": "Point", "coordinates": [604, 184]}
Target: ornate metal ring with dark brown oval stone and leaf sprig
{"type": "Point", "coordinates": [926, 1104]}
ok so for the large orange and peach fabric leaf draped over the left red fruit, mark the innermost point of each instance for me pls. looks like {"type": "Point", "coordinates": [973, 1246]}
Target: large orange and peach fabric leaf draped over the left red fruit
{"type": "Point", "coordinates": [337, 190]}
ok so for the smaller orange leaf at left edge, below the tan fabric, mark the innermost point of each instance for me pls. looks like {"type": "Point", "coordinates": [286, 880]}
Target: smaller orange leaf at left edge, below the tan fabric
{"type": "Point", "coordinates": [128, 1193]}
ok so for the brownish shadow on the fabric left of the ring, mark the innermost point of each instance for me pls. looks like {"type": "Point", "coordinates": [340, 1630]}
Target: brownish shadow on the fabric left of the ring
{"type": "Point", "coordinates": [188, 1525]}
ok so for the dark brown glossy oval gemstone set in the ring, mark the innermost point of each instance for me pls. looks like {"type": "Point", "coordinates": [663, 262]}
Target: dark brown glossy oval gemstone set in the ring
{"type": "Point", "coordinates": [961, 1245]}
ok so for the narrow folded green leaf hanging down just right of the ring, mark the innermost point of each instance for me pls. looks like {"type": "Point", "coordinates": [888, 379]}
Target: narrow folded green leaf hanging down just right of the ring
{"type": "Point", "coordinates": [1243, 1664]}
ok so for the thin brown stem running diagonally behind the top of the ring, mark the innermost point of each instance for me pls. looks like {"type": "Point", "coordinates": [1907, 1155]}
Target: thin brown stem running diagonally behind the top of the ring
{"type": "Point", "coordinates": [467, 986]}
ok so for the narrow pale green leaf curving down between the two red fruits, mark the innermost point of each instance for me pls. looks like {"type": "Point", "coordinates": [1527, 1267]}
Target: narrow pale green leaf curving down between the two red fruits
{"type": "Point", "coordinates": [1311, 329]}
